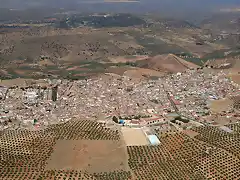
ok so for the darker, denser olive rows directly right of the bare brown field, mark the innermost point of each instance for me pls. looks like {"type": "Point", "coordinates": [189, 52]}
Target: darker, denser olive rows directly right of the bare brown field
{"type": "Point", "coordinates": [156, 162]}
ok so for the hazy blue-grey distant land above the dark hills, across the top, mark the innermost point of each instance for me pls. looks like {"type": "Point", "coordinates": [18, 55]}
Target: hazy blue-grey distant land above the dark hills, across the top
{"type": "Point", "coordinates": [191, 10]}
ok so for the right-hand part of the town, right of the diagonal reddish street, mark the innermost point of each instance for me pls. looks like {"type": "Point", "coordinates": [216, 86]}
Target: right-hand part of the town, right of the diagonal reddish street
{"type": "Point", "coordinates": [193, 91]}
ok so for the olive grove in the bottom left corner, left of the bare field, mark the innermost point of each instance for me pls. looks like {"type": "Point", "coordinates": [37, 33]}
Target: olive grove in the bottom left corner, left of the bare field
{"type": "Point", "coordinates": [24, 154]}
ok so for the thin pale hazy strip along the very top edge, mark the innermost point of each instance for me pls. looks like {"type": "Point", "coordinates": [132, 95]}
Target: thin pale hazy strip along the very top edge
{"type": "Point", "coordinates": [146, 5]}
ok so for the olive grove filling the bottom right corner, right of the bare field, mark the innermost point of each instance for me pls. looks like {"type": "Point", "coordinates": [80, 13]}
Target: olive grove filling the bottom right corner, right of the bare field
{"type": "Point", "coordinates": [182, 158]}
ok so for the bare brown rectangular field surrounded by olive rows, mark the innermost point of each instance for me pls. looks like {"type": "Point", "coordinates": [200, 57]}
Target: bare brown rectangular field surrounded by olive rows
{"type": "Point", "coordinates": [88, 155]}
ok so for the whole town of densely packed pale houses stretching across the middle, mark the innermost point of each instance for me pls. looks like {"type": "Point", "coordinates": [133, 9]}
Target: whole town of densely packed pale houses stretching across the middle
{"type": "Point", "coordinates": [187, 94]}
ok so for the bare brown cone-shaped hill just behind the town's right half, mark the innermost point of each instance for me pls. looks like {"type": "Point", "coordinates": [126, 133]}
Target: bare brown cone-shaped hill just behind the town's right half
{"type": "Point", "coordinates": [169, 63]}
